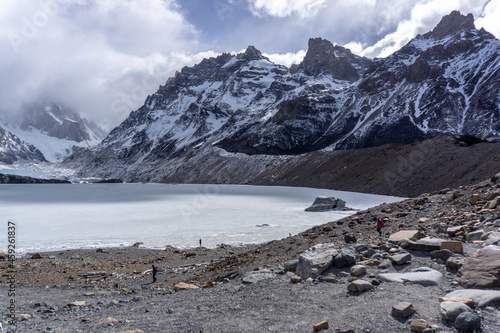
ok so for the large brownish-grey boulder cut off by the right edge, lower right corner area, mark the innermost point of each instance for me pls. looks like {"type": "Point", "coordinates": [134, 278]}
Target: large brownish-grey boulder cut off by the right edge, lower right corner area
{"type": "Point", "coordinates": [482, 270]}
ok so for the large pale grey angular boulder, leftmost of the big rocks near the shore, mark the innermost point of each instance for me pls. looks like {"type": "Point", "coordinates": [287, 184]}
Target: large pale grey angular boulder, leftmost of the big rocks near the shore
{"type": "Point", "coordinates": [316, 260]}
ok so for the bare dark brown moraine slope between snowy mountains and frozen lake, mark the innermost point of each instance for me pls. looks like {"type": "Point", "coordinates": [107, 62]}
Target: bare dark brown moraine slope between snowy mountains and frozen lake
{"type": "Point", "coordinates": [395, 169]}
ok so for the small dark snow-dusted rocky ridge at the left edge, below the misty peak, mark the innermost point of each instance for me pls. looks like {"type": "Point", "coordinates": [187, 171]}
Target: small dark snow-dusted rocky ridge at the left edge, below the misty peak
{"type": "Point", "coordinates": [14, 150]}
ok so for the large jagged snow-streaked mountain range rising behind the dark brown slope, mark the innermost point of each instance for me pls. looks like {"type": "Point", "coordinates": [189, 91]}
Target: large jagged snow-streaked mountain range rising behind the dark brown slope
{"type": "Point", "coordinates": [445, 81]}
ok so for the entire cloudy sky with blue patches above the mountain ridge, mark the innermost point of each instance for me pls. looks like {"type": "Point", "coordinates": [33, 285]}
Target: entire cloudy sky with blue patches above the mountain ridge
{"type": "Point", "coordinates": [103, 57]}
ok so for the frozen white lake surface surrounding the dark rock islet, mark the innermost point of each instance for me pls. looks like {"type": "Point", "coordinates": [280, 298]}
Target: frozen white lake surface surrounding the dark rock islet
{"type": "Point", "coordinates": [53, 217]}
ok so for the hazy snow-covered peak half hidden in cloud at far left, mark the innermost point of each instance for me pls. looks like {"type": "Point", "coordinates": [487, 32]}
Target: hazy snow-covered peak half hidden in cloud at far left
{"type": "Point", "coordinates": [55, 130]}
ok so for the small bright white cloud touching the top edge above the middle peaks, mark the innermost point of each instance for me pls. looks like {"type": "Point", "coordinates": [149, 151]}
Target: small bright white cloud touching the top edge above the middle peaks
{"type": "Point", "coordinates": [284, 8]}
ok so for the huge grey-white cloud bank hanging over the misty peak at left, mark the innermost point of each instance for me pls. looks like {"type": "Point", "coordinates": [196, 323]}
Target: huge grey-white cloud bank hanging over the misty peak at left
{"type": "Point", "coordinates": [89, 53]}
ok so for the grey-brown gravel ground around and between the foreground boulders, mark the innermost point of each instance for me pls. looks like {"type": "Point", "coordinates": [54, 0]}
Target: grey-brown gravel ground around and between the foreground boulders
{"type": "Point", "coordinates": [124, 291]}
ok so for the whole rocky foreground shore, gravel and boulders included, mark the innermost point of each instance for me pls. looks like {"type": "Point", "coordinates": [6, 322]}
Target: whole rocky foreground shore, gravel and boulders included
{"type": "Point", "coordinates": [337, 277]}
